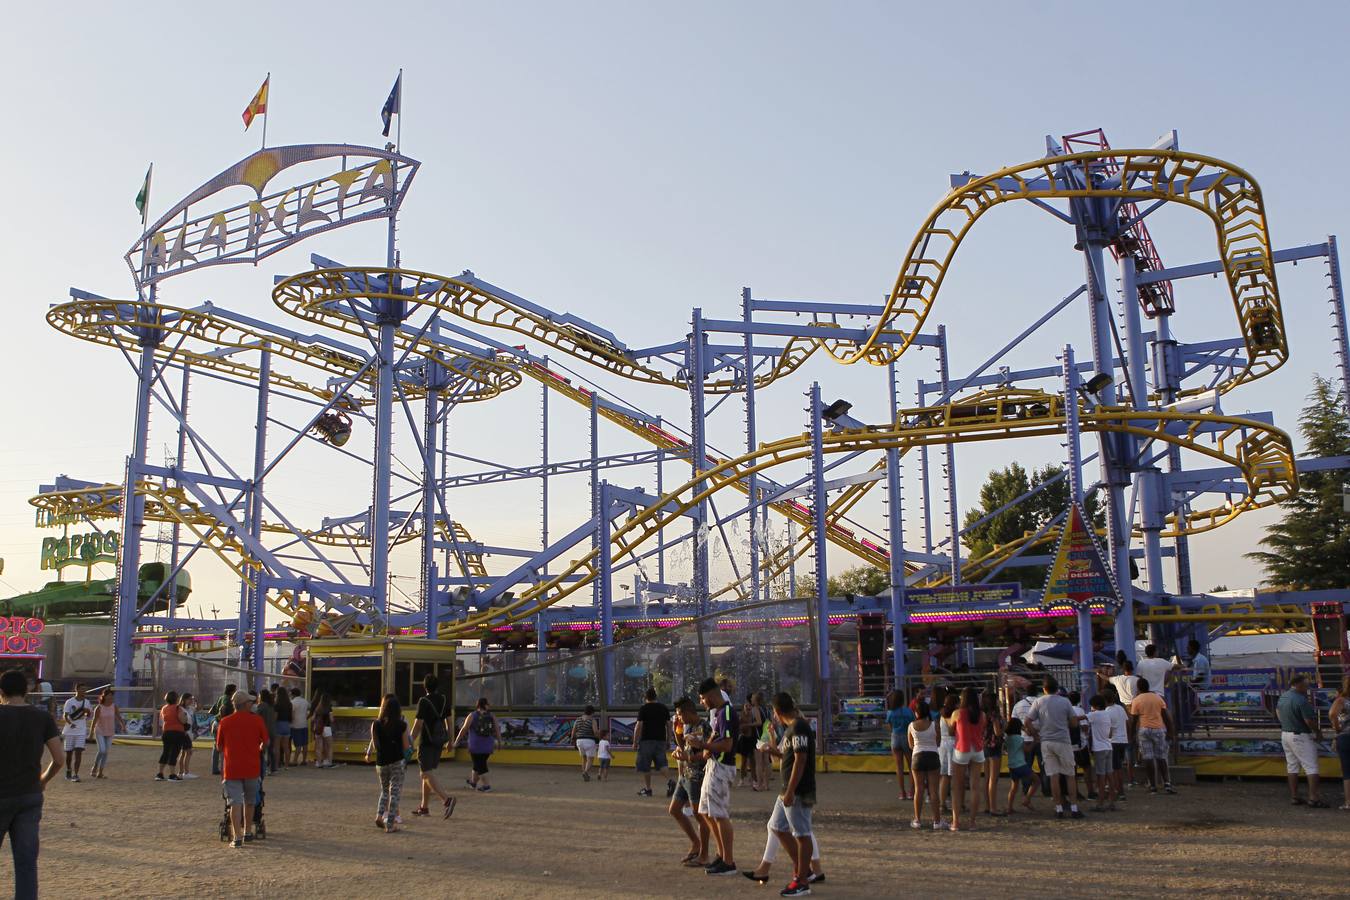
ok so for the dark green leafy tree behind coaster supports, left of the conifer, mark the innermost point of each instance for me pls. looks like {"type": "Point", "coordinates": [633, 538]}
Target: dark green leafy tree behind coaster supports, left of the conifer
{"type": "Point", "coordinates": [1002, 488]}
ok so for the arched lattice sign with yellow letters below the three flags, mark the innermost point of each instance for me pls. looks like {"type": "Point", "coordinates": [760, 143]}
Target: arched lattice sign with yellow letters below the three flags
{"type": "Point", "coordinates": [369, 184]}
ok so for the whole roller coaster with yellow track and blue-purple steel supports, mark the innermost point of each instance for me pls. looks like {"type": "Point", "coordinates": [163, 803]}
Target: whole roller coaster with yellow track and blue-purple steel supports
{"type": "Point", "coordinates": [380, 338]}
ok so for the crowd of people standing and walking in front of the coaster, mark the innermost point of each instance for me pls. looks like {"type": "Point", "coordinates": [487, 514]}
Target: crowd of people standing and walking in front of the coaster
{"type": "Point", "coordinates": [948, 746]}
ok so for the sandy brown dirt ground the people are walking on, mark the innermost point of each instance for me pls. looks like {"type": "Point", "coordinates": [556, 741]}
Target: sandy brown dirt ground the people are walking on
{"type": "Point", "coordinates": [542, 831]}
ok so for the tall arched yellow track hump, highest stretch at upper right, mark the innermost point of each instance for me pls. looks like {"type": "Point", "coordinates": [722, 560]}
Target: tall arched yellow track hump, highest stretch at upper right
{"type": "Point", "coordinates": [1228, 195]}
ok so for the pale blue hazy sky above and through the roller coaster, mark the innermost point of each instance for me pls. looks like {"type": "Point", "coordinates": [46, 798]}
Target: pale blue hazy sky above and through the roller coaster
{"type": "Point", "coordinates": [630, 163]}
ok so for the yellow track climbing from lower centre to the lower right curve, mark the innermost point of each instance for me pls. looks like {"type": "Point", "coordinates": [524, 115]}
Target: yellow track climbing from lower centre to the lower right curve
{"type": "Point", "coordinates": [1263, 454]}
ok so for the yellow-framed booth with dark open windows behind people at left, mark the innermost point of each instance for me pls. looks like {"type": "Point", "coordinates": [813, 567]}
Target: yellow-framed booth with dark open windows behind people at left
{"type": "Point", "coordinates": [358, 673]}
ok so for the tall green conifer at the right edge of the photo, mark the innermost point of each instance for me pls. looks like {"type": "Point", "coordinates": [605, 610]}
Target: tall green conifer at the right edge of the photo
{"type": "Point", "coordinates": [1310, 547]}
